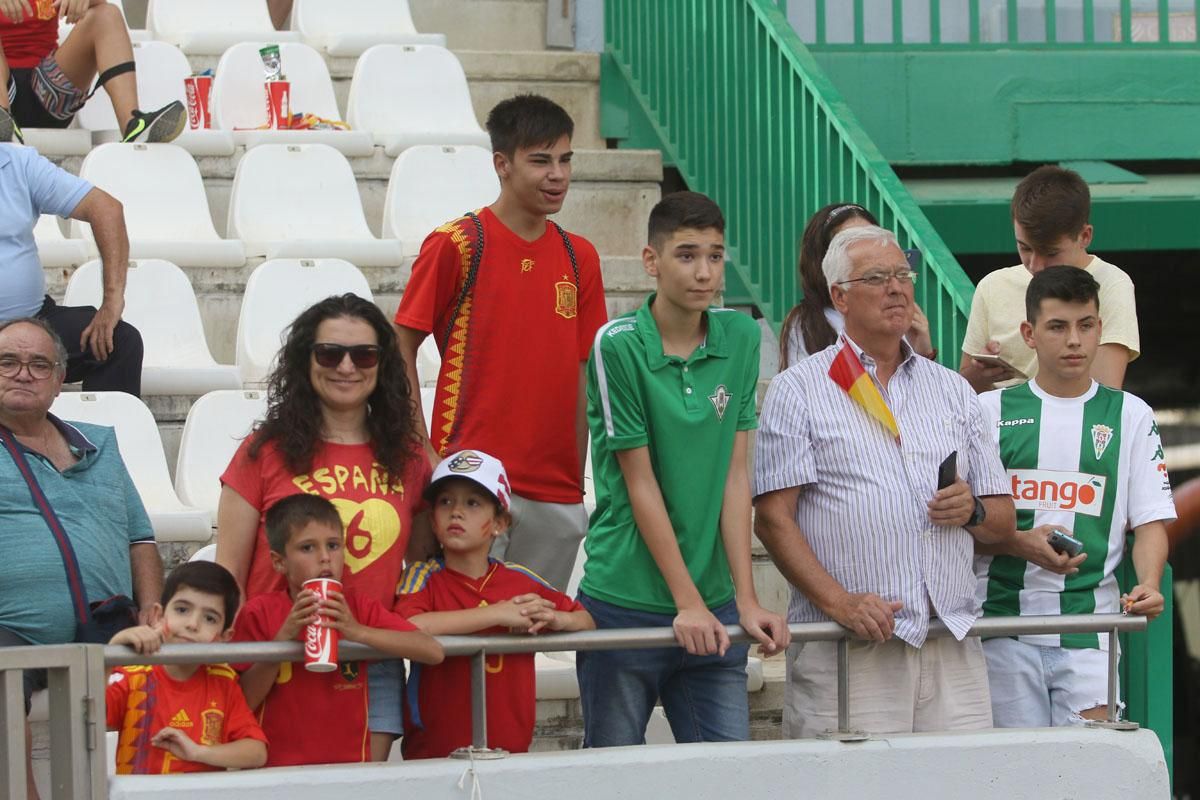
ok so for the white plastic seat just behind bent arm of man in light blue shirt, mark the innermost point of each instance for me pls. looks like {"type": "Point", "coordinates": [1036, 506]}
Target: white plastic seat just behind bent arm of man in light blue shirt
{"type": "Point", "coordinates": [166, 210]}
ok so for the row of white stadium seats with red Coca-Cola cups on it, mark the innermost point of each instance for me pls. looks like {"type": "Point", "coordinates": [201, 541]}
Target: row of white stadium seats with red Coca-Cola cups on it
{"type": "Point", "coordinates": [400, 97]}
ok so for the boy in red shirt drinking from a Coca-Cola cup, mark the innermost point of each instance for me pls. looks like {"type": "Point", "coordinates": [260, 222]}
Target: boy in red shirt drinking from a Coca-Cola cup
{"type": "Point", "coordinates": [317, 718]}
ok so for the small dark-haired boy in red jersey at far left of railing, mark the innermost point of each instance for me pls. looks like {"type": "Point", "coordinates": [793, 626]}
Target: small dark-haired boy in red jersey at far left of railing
{"type": "Point", "coordinates": [184, 718]}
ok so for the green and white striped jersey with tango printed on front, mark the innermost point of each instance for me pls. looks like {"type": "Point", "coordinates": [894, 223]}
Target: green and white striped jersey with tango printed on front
{"type": "Point", "coordinates": [1093, 465]}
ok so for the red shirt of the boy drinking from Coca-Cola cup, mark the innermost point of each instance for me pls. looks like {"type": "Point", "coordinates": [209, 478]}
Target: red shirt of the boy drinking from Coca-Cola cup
{"type": "Point", "coordinates": [315, 718]}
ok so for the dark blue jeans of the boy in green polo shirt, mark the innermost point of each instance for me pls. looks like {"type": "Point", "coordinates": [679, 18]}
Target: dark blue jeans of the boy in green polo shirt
{"type": "Point", "coordinates": [704, 697]}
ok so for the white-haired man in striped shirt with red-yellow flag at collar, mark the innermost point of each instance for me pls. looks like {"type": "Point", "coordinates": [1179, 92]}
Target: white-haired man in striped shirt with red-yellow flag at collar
{"type": "Point", "coordinates": [874, 477]}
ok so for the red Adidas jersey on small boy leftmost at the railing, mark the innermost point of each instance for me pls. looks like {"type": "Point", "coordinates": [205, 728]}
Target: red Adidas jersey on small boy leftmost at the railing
{"type": "Point", "coordinates": [208, 707]}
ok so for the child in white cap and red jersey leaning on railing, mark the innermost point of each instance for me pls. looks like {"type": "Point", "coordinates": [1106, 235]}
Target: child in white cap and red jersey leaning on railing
{"type": "Point", "coordinates": [465, 592]}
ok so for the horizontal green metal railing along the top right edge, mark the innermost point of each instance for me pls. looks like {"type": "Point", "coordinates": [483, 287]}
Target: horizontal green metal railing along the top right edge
{"type": "Point", "coordinates": [1120, 17]}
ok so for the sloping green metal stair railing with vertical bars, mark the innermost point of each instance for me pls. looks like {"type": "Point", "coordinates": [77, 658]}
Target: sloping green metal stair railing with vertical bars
{"type": "Point", "coordinates": [747, 116]}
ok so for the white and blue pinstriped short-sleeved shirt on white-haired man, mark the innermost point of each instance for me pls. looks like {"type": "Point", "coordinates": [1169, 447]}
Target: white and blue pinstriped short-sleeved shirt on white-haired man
{"type": "Point", "coordinates": [862, 506]}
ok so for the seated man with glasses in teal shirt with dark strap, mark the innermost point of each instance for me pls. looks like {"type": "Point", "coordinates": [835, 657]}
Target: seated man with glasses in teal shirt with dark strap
{"type": "Point", "coordinates": [82, 489]}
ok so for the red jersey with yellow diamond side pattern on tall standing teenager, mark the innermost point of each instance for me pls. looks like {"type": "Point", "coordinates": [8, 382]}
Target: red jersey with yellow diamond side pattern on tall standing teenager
{"type": "Point", "coordinates": [511, 376]}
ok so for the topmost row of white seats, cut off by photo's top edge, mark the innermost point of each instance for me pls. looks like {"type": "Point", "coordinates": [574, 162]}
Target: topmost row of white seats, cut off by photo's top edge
{"type": "Point", "coordinates": [341, 28]}
